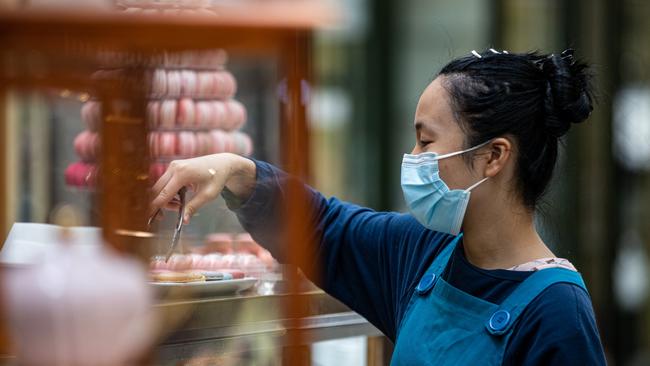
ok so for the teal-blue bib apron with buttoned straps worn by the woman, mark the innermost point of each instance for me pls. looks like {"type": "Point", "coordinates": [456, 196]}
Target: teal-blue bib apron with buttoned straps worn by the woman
{"type": "Point", "coordinates": [443, 325]}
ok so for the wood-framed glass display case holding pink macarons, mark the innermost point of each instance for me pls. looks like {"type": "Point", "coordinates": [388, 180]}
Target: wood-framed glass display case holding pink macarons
{"type": "Point", "coordinates": [95, 105]}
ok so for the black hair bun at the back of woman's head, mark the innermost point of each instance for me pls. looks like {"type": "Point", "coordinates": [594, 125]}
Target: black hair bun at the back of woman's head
{"type": "Point", "coordinates": [568, 92]}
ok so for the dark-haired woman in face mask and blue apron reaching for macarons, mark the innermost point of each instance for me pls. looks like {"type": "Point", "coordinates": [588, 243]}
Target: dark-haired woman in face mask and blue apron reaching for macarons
{"type": "Point", "coordinates": [488, 125]}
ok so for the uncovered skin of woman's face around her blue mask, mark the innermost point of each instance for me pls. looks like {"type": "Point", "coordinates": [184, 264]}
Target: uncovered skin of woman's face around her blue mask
{"type": "Point", "coordinates": [436, 130]}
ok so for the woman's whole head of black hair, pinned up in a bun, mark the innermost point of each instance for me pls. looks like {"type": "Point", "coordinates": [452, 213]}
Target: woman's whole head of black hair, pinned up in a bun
{"type": "Point", "coordinates": [531, 96]}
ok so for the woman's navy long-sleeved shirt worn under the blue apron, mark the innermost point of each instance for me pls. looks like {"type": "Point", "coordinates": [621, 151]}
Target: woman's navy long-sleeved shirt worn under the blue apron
{"type": "Point", "coordinates": [372, 262]}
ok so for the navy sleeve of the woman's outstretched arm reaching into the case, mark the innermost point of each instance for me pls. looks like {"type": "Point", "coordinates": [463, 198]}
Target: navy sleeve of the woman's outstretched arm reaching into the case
{"type": "Point", "coordinates": [368, 260]}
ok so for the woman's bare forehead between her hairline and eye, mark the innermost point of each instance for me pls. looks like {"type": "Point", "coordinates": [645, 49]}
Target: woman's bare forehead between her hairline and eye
{"type": "Point", "coordinates": [434, 110]}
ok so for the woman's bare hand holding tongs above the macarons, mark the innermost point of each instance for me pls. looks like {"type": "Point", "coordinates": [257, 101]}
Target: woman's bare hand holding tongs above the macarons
{"type": "Point", "coordinates": [206, 176]}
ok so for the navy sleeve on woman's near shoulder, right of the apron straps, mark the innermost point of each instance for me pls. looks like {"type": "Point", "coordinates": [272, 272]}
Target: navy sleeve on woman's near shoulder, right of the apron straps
{"type": "Point", "coordinates": [557, 328]}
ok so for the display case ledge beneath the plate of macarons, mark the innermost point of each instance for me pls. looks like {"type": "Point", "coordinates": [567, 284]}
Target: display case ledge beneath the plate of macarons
{"type": "Point", "coordinates": [210, 333]}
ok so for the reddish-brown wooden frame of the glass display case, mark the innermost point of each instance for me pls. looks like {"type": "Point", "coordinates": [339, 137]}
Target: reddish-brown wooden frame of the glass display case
{"type": "Point", "coordinates": [60, 49]}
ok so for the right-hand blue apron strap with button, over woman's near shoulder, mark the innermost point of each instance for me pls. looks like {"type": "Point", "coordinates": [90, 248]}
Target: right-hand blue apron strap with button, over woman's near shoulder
{"type": "Point", "coordinates": [506, 315]}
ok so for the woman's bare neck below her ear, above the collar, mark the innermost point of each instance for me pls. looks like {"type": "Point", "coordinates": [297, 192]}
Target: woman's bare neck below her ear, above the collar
{"type": "Point", "coordinates": [503, 237]}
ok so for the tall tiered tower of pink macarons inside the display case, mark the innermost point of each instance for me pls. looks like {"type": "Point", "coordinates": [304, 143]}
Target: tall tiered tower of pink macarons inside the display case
{"type": "Point", "coordinates": [191, 111]}
